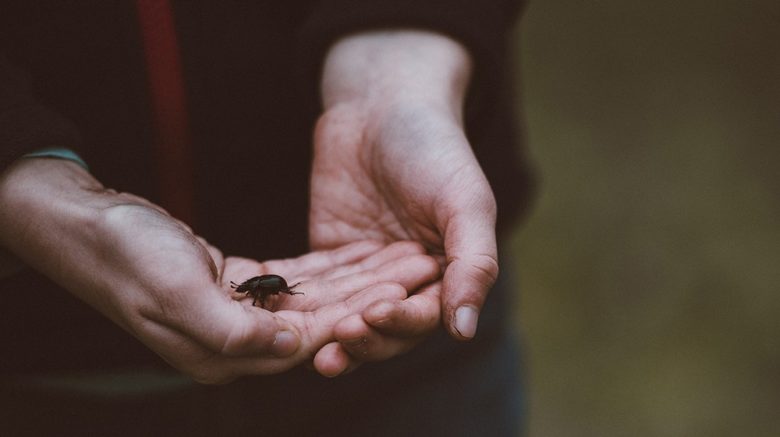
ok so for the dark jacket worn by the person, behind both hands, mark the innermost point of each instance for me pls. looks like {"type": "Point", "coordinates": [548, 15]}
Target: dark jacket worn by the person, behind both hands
{"type": "Point", "coordinates": [73, 75]}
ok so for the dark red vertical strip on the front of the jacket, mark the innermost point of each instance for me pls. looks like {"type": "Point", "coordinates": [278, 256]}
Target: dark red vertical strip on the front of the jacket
{"type": "Point", "coordinates": [169, 105]}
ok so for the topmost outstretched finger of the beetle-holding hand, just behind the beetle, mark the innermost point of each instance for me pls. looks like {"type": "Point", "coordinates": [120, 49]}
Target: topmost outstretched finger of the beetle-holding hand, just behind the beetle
{"type": "Point", "coordinates": [315, 263]}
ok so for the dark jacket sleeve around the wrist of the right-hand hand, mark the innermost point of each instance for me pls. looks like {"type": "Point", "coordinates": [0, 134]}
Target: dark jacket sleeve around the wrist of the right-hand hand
{"type": "Point", "coordinates": [482, 27]}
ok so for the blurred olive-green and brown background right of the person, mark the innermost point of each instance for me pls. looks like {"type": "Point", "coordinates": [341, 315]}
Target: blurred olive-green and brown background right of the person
{"type": "Point", "coordinates": [650, 267]}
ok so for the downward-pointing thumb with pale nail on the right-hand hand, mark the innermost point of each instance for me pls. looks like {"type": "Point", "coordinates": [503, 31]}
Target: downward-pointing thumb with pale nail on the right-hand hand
{"type": "Point", "coordinates": [472, 267]}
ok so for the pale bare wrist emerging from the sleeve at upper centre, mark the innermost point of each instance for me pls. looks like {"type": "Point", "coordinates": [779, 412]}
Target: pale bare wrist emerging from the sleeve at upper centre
{"type": "Point", "coordinates": [385, 69]}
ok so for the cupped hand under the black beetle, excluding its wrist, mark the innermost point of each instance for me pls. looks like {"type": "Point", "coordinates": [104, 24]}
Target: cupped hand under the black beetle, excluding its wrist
{"type": "Point", "coordinates": [191, 317]}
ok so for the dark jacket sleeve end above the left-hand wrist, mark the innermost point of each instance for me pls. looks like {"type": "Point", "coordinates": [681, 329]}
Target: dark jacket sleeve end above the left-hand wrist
{"type": "Point", "coordinates": [27, 125]}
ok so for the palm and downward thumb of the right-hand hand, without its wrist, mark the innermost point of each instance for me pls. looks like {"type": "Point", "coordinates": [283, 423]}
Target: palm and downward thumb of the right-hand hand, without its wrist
{"type": "Point", "coordinates": [409, 175]}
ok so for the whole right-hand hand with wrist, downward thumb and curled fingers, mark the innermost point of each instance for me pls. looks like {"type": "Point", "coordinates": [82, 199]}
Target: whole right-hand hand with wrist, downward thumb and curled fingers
{"type": "Point", "coordinates": [392, 162]}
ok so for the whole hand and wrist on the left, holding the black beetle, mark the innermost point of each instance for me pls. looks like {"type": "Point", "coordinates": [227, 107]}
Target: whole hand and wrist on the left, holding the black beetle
{"type": "Point", "coordinates": [151, 275]}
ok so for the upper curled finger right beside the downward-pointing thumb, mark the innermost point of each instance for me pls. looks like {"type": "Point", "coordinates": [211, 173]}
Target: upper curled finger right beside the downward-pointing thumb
{"type": "Point", "coordinates": [414, 316]}
